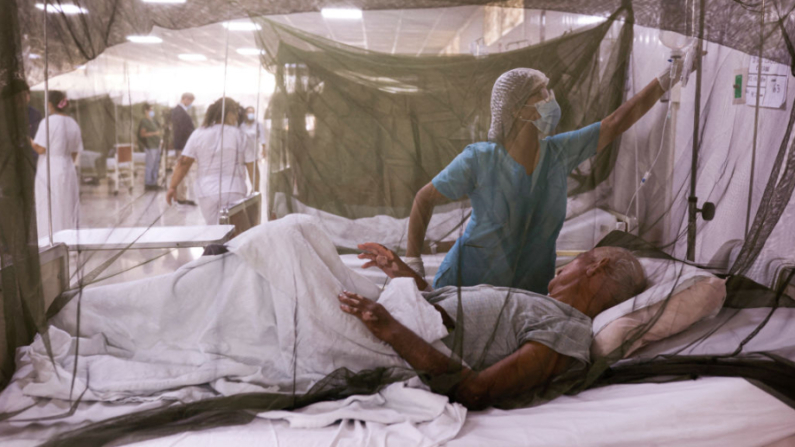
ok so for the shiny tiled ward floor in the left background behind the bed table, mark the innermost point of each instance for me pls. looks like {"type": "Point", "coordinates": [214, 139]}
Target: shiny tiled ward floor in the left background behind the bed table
{"type": "Point", "coordinates": [100, 208]}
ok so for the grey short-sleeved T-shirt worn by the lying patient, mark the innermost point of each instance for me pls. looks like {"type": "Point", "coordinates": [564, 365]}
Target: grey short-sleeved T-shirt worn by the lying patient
{"type": "Point", "coordinates": [498, 320]}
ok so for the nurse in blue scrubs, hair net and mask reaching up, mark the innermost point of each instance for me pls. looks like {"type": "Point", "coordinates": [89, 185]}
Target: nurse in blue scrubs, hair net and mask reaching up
{"type": "Point", "coordinates": [516, 183]}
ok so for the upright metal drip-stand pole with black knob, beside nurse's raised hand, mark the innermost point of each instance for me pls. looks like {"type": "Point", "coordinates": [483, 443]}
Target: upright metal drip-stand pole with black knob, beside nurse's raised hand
{"type": "Point", "coordinates": [692, 201]}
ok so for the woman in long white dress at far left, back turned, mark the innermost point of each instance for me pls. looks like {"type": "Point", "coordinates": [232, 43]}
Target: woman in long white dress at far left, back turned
{"type": "Point", "coordinates": [65, 142]}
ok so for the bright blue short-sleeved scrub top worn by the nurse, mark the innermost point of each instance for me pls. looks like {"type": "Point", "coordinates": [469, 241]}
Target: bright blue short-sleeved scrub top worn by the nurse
{"type": "Point", "coordinates": [516, 218]}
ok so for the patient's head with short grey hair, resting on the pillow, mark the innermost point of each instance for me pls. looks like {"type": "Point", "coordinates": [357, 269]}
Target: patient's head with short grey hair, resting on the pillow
{"type": "Point", "coordinates": [604, 276]}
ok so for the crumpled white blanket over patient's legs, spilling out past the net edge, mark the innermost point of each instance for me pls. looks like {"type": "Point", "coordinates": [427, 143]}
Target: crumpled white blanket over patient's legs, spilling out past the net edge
{"type": "Point", "coordinates": [263, 317]}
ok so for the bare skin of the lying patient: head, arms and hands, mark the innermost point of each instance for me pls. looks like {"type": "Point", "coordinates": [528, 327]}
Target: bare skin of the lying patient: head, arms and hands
{"type": "Point", "coordinates": [594, 281]}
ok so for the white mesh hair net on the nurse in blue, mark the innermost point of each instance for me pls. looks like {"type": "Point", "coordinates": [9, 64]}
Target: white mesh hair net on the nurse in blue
{"type": "Point", "coordinates": [510, 91]}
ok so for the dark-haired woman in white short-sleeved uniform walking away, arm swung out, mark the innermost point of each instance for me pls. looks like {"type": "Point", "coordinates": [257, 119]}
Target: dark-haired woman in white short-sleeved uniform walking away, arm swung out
{"type": "Point", "coordinates": [222, 165]}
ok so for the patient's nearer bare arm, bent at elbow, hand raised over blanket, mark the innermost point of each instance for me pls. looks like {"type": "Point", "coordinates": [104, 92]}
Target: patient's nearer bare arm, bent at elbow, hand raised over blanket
{"type": "Point", "coordinates": [530, 366]}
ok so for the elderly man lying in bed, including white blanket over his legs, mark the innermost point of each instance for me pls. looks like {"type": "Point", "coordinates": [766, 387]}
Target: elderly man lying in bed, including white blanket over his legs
{"type": "Point", "coordinates": [265, 318]}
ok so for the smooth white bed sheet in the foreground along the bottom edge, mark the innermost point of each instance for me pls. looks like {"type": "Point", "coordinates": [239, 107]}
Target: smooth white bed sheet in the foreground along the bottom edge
{"type": "Point", "coordinates": [704, 412]}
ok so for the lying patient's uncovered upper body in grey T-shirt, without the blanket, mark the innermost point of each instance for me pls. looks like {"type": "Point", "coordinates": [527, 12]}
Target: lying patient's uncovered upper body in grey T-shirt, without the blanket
{"type": "Point", "coordinates": [530, 337]}
